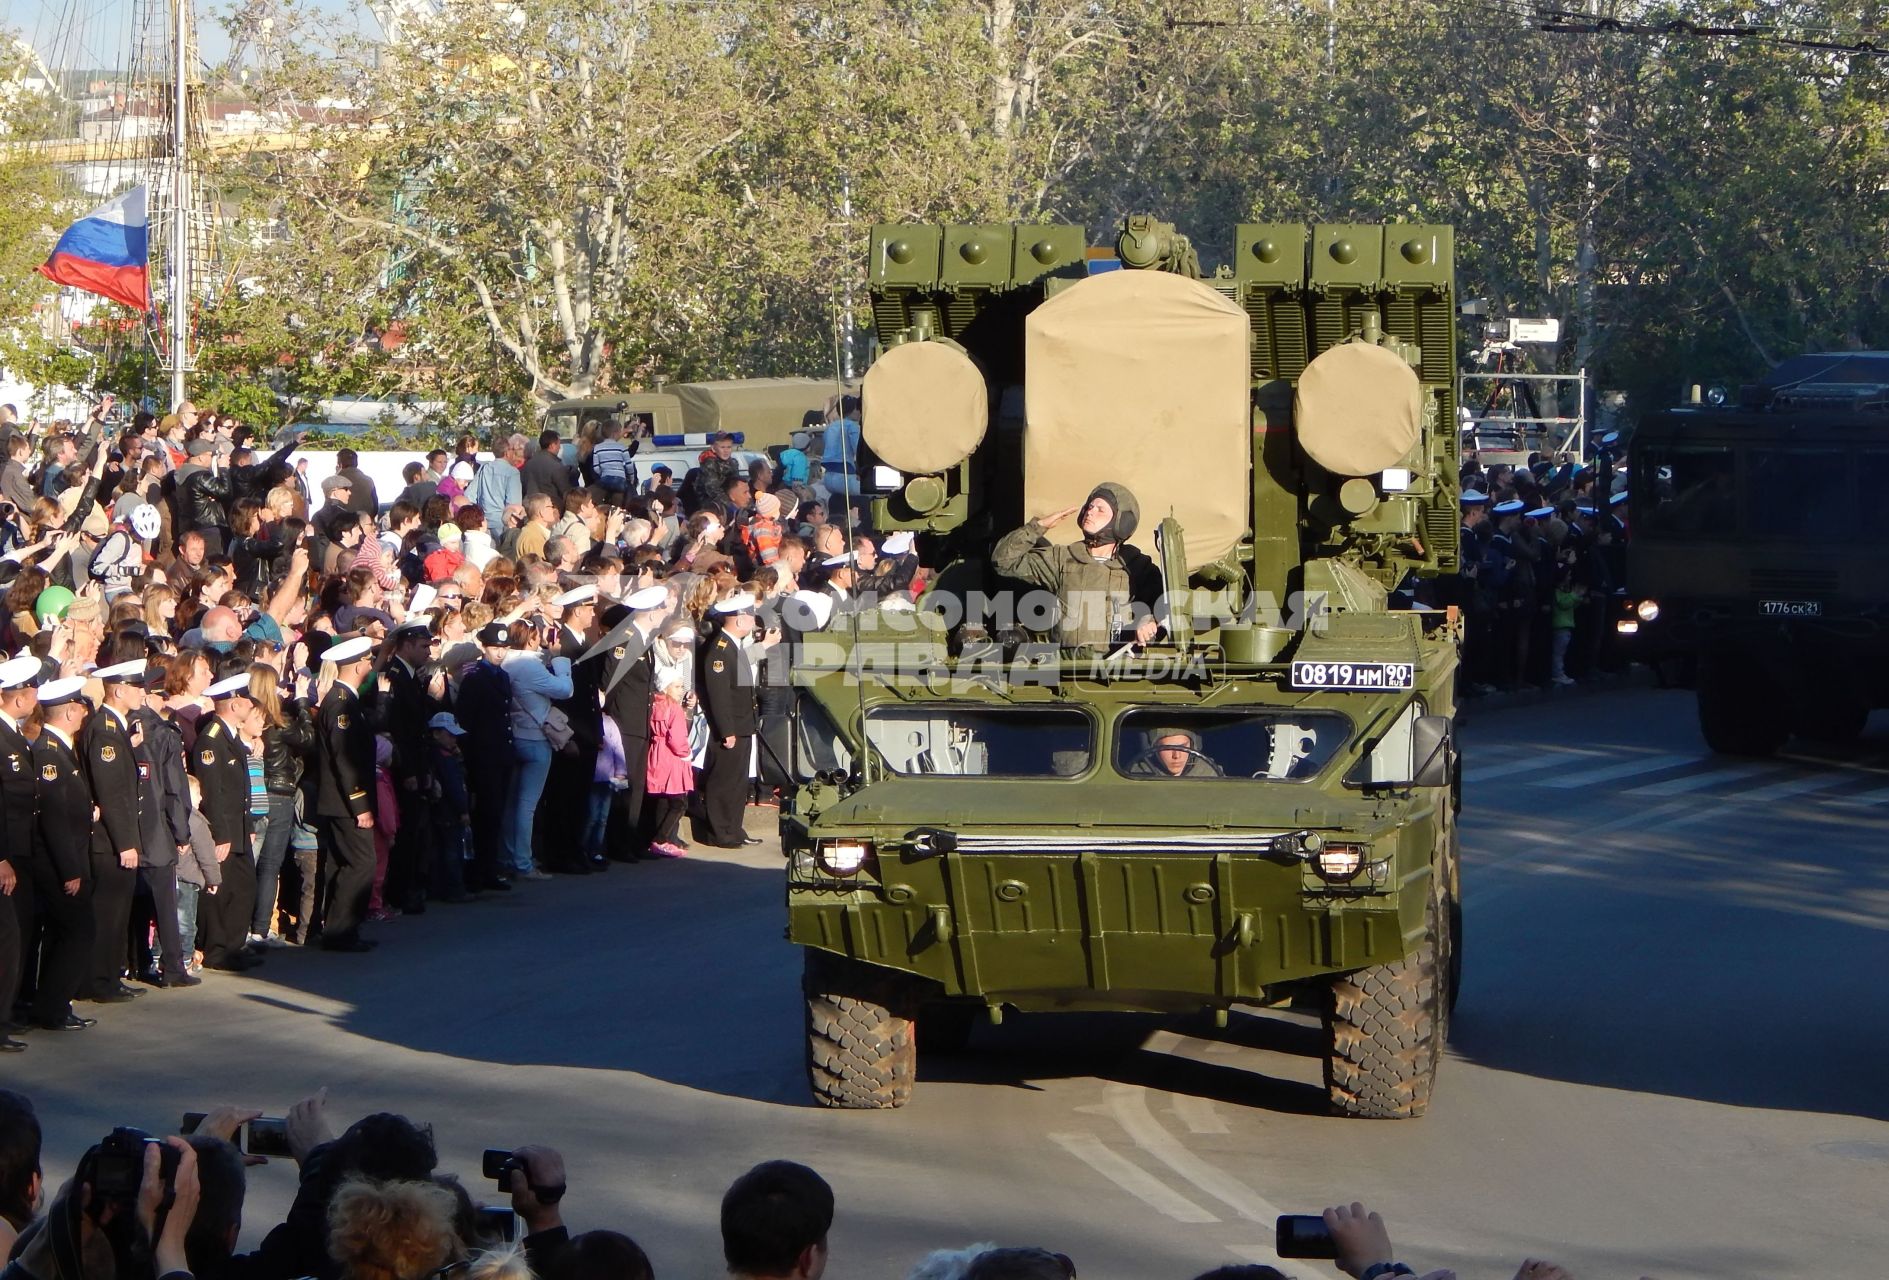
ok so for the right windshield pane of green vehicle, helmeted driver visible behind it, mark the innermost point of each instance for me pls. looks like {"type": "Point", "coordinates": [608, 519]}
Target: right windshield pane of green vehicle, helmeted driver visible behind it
{"type": "Point", "coordinates": [1270, 745]}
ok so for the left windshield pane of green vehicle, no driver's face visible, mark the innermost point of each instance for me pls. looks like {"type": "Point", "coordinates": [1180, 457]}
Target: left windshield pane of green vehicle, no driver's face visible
{"type": "Point", "coordinates": [981, 741]}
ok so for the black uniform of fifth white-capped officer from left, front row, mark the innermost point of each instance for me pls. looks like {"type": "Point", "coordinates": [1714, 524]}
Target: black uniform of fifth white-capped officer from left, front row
{"type": "Point", "coordinates": [345, 762]}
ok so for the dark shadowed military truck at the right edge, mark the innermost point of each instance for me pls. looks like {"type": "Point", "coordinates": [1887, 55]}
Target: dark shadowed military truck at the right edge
{"type": "Point", "coordinates": [1752, 550]}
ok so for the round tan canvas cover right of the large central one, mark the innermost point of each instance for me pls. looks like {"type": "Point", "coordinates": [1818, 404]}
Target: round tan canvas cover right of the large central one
{"type": "Point", "coordinates": [1359, 411]}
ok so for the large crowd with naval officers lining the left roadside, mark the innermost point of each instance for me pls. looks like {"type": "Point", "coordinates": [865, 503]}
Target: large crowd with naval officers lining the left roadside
{"type": "Point", "coordinates": [245, 715]}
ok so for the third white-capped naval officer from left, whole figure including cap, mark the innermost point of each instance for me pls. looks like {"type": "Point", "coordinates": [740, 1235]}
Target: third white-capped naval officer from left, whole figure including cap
{"type": "Point", "coordinates": [109, 749]}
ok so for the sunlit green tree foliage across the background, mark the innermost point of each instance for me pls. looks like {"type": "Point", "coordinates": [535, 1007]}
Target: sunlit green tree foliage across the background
{"type": "Point", "coordinates": [562, 197]}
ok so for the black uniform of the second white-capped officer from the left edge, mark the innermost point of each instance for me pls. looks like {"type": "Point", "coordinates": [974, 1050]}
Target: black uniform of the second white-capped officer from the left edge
{"type": "Point", "coordinates": [65, 834]}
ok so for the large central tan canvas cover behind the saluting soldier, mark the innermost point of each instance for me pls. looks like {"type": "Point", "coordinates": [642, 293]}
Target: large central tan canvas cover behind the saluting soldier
{"type": "Point", "coordinates": [1142, 379]}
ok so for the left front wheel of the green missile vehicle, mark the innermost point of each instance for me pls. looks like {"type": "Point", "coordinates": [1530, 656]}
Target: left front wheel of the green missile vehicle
{"type": "Point", "coordinates": [862, 1053]}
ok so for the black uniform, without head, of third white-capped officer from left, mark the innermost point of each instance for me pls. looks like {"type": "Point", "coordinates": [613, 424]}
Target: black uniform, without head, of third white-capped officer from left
{"type": "Point", "coordinates": [112, 771]}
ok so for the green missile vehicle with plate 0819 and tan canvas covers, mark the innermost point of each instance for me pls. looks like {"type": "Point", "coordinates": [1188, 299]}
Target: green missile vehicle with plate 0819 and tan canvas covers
{"type": "Point", "coordinates": [1006, 801]}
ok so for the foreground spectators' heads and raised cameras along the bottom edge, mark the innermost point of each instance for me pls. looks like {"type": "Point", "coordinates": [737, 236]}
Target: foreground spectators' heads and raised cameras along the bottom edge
{"type": "Point", "coordinates": [373, 1204]}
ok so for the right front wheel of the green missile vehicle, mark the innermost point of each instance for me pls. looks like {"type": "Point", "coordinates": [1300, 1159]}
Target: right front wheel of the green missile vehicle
{"type": "Point", "coordinates": [1386, 1030]}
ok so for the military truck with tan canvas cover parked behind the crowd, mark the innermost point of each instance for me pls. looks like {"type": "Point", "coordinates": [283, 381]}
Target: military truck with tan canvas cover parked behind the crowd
{"type": "Point", "coordinates": [764, 411]}
